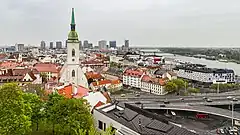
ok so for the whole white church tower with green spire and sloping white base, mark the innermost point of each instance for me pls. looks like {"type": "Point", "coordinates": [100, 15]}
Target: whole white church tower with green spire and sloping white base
{"type": "Point", "coordinates": [71, 71]}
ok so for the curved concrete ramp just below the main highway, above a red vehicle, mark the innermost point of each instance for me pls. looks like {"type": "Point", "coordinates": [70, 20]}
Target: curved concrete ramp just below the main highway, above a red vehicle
{"type": "Point", "coordinates": [202, 109]}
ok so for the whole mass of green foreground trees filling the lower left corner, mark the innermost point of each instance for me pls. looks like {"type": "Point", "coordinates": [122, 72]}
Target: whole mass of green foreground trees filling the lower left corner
{"type": "Point", "coordinates": [26, 113]}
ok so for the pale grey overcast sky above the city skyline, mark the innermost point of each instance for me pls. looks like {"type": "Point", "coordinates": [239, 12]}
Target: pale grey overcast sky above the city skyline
{"type": "Point", "coordinates": [188, 23]}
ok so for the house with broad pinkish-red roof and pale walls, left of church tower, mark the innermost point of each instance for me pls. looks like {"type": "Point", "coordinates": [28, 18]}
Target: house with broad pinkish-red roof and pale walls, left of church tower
{"type": "Point", "coordinates": [50, 69]}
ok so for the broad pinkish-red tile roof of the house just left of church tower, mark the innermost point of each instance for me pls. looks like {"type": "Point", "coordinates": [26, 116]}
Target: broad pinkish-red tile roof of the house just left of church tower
{"type": "Point", "coordinates": [47, 67]}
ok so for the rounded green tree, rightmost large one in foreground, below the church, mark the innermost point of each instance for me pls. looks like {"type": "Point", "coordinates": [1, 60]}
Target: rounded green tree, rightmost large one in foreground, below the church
{"type": "Point", "coordinates": [68, 115]}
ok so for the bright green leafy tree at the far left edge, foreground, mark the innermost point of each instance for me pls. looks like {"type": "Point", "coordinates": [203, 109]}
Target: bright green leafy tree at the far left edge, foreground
{"type": "Point", "coordinates": [14, 113]}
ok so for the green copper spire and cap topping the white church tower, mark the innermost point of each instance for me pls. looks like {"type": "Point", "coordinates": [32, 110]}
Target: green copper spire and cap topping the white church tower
{"type": "Point", "coordinates": [73, 36]}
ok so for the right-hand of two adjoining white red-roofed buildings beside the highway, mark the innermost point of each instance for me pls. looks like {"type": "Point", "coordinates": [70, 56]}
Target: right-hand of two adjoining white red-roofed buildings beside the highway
{"type": "Point", "coordinates": [153, 85]}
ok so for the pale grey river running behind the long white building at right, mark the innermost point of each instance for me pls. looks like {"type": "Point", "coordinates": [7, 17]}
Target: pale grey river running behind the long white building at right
{"type": "Point", "coordinates": [208, 63]}
